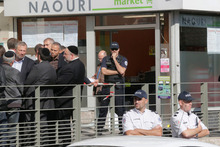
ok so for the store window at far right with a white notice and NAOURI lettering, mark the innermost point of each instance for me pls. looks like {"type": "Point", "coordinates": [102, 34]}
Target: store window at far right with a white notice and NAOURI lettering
{"type": "Point", "coordinates": [199, 53]}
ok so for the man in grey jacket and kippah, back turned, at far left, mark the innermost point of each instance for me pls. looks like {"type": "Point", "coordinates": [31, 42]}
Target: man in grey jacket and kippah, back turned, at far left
{"type": "Point", "coordinates": [13, 90]}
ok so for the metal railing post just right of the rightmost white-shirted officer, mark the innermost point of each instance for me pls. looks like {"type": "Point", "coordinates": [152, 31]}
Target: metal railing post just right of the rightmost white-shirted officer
{"type": "Point", "coordinates": [204, 102]}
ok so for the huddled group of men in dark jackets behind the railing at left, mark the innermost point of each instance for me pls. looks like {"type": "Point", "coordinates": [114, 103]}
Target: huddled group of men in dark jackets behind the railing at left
{"type": "Point", "coordinates": [21, 74]}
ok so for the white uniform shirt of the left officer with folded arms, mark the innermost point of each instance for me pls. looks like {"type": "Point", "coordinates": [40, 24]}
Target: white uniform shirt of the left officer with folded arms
{"type": "Point", "coordinates": [134, 119]}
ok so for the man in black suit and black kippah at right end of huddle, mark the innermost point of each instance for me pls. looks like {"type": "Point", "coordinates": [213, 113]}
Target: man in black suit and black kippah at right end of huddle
{"type": "Point", "coordinates": [71, 73]}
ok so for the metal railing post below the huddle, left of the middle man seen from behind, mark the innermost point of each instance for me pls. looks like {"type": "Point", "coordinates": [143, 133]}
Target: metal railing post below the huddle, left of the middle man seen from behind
{"type": "Point", "coordinates": [37, 114]}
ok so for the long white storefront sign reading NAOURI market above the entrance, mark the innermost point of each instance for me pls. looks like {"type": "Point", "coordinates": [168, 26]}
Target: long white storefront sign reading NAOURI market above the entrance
{"type": "Point", "coordinates": [66, 7]}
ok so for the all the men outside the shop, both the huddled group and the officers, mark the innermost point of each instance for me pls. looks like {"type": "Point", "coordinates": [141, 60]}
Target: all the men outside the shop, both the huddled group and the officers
{"type": "Point", "coordinates": [57, 66]}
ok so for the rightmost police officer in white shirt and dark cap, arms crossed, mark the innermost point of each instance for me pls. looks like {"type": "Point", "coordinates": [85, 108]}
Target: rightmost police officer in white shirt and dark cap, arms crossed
{"type": "Point", "coordinates": [184, 123]}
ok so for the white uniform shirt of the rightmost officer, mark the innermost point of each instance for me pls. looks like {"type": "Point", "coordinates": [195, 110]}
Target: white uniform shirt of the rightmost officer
{"type": "Point", "coordinates": [182, 121]}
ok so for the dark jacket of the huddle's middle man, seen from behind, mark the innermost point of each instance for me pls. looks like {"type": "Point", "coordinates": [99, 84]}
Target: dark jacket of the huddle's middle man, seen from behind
{"type": "Point", "coordinates": [41, 74]}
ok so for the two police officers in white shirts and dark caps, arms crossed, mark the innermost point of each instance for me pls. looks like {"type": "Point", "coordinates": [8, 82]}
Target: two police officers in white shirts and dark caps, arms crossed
{"type": "Point", "coordinates": [184, 123]}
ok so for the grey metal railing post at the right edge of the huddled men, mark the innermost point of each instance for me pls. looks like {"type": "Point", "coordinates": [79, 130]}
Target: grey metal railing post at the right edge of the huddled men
{"type": "Point", "coordinates": [77, 112]}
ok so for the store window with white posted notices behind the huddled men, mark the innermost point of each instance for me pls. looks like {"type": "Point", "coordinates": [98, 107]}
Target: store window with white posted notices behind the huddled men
{"type": "Point", "coordinates": [65, 30]}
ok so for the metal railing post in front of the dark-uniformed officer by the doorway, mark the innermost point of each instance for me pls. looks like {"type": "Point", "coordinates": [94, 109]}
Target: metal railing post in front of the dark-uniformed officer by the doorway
{"type": "Point", "coordinates": [112, 109]}
